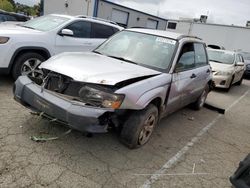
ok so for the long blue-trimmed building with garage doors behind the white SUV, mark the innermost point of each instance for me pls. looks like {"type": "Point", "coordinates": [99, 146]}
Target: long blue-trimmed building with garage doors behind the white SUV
{"type": "Point", "coordinates": [124, 16]}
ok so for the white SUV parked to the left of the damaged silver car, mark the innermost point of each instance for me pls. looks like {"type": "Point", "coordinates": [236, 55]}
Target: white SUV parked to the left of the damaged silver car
{"type": "Point", "coordinates": [24, 47]}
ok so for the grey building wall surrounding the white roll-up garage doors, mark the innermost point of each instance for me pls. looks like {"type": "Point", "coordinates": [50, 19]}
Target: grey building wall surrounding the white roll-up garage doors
{"type": "Point", "coordinates": [136, 19]}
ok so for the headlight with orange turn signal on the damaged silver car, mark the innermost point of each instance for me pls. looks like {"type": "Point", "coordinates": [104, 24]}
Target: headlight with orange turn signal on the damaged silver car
{"type": "Point", "coordinates": [100, 98]}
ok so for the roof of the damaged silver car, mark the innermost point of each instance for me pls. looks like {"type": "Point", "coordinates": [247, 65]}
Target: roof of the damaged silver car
{"type": "Point", "coordinates": [162, 33]}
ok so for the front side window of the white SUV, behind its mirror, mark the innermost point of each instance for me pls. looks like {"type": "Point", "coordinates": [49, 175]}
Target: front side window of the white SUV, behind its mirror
{"type": "Point", "coordinates": [81, 29]}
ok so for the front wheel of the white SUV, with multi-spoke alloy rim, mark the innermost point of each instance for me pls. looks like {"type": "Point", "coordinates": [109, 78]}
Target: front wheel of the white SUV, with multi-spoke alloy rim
{"type": "Point", "coordinates": [27, 64]}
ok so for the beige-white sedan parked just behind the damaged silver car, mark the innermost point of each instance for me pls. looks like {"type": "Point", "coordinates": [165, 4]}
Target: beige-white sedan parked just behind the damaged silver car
{"type": "Point", "coordinates": [228, 68]}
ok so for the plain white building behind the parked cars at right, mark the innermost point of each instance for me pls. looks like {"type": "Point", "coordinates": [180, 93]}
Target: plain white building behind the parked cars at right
{"type": "Point", "coordinates": [231, 37]}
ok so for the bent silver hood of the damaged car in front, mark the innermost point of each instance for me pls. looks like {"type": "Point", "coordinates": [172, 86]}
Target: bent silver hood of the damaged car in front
{"type": "Point", "coordinates": [94, 68]}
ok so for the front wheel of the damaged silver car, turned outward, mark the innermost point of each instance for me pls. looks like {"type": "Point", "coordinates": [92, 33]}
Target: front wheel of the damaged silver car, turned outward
{"type": "Point", "coordinates": [138, 128]}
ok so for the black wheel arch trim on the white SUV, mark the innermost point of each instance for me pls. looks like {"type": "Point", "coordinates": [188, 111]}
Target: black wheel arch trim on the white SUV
{"type": "Point", "coordinates": [40, 50]}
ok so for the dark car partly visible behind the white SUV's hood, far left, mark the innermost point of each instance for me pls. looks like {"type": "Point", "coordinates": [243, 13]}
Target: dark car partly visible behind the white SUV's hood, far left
{"type": "Point", "coordinates": [12, 17]}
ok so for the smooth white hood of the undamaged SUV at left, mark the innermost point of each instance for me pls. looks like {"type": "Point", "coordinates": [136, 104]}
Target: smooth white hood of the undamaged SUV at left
{"type": "Point", "coordinates": [9, 29]}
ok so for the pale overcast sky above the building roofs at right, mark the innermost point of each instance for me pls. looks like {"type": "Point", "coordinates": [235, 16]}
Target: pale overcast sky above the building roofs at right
{"type": "Point", "coordinates": [235, 12]}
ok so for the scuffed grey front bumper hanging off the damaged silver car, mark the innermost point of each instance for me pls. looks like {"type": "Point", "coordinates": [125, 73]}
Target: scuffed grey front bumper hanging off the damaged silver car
{"type": "Point", "coordinates": [74, 114]}
